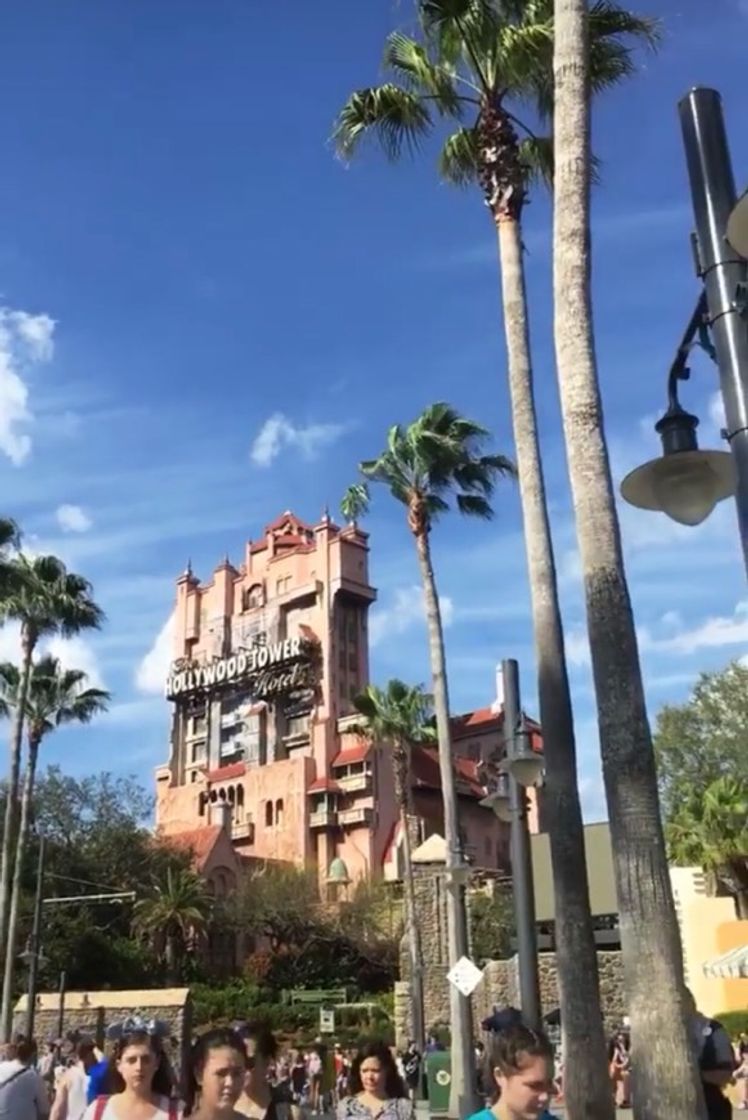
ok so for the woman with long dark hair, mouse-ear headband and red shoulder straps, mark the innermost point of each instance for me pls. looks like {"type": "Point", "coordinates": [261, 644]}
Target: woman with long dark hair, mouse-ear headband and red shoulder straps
{"type": "Point", "coordinates": [139, 1082]}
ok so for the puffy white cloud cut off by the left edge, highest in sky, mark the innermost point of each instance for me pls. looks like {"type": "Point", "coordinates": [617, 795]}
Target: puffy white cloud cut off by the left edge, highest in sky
{"type": "Point", "coordinates": [25, 341]}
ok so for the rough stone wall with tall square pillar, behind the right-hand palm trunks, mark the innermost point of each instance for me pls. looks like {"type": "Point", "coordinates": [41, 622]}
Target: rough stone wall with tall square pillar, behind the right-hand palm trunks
{"type": "Point", "coordinates": [501, 984]}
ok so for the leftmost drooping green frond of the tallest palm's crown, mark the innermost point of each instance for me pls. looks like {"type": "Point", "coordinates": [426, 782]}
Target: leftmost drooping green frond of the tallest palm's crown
{"type": "Point", "coordinates": [396, 118]}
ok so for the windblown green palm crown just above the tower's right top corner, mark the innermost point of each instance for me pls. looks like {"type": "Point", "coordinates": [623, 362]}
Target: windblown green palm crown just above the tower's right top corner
{"type": "Point", "coordinates": [437, 456]}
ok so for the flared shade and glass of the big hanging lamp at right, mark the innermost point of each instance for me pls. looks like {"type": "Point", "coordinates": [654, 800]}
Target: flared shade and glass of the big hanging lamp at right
{"type": "Point", "coordinates": [685, 486]}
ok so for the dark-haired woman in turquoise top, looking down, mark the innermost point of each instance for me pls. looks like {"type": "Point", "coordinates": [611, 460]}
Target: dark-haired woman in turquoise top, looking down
{"type": "Point", "coordinates": [520, 1075]}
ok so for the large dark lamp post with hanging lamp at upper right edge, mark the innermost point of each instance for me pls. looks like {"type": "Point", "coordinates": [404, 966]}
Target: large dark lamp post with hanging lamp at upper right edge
{"type": "Point", "coordinates": [686, 482]}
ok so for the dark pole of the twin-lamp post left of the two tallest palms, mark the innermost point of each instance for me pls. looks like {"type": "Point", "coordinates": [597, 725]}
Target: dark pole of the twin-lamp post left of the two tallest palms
{"type": "Point", "coordinates": [522, 876]}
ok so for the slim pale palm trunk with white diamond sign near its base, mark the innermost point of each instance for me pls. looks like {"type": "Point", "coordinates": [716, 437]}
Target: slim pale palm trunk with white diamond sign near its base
{"type": "Point", "coordinates": [462, 1091]}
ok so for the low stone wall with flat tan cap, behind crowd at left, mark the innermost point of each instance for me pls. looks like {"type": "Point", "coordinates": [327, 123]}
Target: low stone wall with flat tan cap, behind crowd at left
{"type": "Point", "coordinates": [92, 1013]}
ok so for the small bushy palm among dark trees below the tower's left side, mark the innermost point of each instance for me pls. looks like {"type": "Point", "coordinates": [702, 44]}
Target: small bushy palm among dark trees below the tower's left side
{"type": "Point", "coordinates": [174, 916]}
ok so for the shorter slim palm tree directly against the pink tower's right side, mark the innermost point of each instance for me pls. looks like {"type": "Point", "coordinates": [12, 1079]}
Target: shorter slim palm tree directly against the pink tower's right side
{"type": "Point", "coordinates": [400, 715]}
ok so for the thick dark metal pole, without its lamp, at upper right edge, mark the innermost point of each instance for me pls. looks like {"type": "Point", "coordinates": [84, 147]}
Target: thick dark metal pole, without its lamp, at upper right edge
{"type": "Point", "coordinates": [725, 274]}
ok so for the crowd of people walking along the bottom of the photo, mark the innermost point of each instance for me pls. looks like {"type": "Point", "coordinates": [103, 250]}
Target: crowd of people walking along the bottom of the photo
{"type": "Point", "coordinates": [236, 1074]}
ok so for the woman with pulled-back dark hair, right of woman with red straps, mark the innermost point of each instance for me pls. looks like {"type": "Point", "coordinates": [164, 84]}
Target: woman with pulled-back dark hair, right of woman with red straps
{"type": "Point", "coordinates": [216, 1076]}
